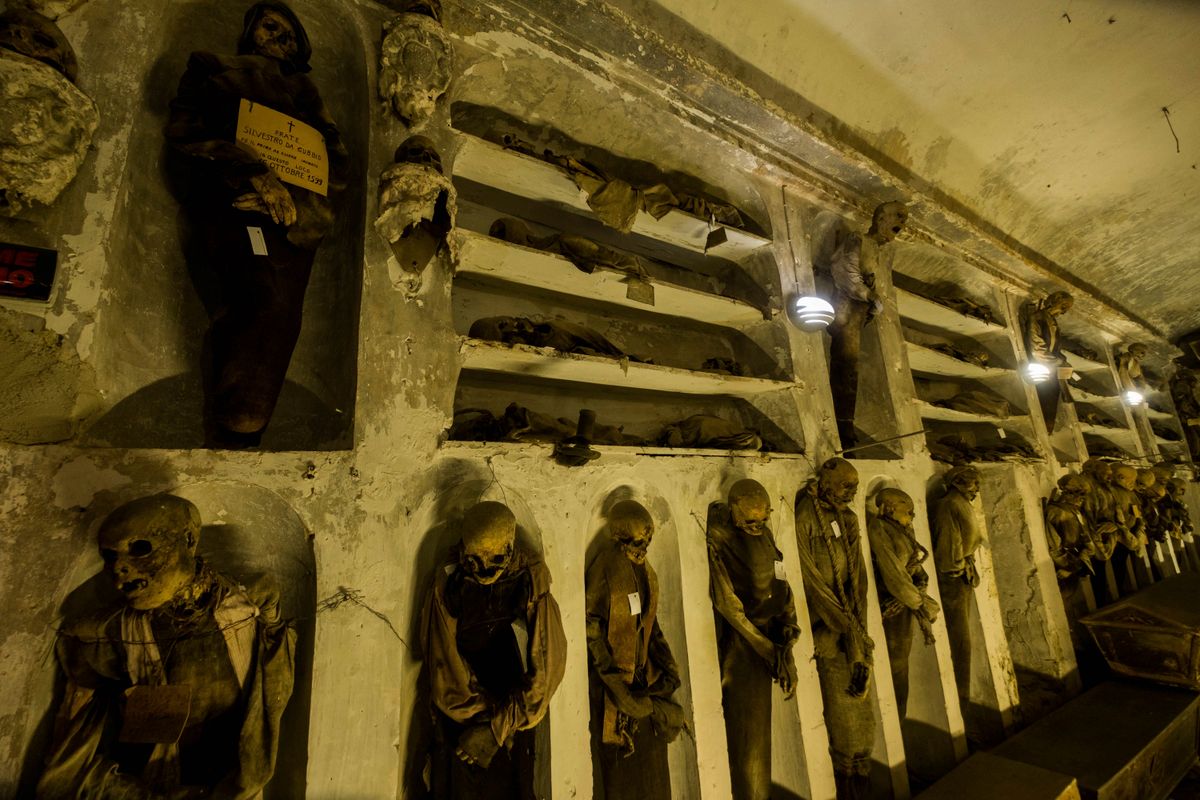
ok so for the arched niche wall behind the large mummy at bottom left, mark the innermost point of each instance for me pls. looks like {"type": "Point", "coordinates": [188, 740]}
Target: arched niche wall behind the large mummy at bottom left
{"type": "Point", "coordinates": [248, 532]}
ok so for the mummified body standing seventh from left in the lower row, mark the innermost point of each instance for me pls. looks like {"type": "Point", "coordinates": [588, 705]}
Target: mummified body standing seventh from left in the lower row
{"type": "Point", "coordinates": [957, 537]}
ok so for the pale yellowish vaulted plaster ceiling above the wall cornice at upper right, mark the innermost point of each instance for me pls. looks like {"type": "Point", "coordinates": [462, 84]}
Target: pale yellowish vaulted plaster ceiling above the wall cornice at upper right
{"type": "Point", "coordinates": [1042, 117]}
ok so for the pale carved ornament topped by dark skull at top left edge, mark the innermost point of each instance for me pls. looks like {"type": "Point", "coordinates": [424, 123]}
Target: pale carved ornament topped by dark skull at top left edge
{"type": "Point", "coordinates": [46, 123]}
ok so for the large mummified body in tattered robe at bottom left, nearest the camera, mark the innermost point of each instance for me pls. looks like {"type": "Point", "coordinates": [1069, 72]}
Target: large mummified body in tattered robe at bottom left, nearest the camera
{"type": "Point", "coordinates": [178, 691]}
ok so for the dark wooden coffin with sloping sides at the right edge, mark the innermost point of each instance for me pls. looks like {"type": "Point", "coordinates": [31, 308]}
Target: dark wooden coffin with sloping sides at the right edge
{"type": "Point", "coordinates": [1154, 634]}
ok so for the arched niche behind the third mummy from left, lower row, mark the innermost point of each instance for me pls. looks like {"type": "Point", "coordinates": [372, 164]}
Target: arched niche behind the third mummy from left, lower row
{"type": "Point", "coordinates": [664, 558]}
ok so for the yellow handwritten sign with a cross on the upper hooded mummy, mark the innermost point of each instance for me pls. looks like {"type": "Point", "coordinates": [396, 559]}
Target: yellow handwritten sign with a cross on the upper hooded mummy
{"type": "Point", "coordinates": [295, 152]}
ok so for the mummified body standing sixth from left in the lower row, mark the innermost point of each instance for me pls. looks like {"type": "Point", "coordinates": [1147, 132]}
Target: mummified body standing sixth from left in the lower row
{"type": "Point", "coordinates": [903, 584]}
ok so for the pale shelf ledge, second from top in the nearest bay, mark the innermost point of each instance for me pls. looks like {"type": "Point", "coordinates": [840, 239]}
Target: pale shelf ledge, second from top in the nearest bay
{"type": "Point", "coordinates": [494, 260]}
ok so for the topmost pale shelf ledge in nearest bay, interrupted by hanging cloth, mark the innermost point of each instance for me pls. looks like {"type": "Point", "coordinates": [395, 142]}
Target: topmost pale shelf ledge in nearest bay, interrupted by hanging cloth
{"type": "Point", "coordinates": [515, 173]}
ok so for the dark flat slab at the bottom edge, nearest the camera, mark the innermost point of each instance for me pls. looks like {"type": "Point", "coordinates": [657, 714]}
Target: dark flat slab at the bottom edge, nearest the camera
{"type": "Point", "coordinates": [989, 778]}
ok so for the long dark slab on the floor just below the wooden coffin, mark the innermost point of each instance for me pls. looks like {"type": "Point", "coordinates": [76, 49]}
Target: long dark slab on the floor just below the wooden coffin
{"type": "Point", "coordinates": [1121, 742]}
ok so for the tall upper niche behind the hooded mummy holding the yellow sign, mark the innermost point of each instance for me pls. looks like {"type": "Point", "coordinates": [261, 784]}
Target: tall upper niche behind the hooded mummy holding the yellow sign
{"type": "Point", "coordinates": [149, 345]}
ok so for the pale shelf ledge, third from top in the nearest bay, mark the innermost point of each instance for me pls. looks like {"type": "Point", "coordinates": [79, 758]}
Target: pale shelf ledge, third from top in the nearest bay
{"type": "Point", "coordinates": [520, 360]}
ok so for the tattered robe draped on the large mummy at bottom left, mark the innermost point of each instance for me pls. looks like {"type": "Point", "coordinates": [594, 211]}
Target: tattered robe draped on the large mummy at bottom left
{"type": "Point", "coordinates": [105, 654]}
